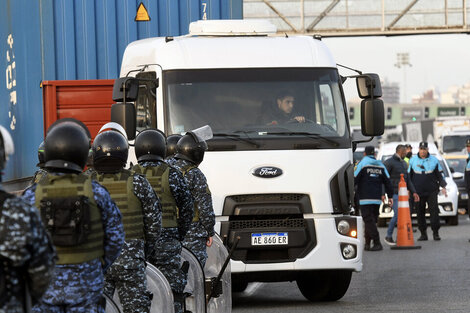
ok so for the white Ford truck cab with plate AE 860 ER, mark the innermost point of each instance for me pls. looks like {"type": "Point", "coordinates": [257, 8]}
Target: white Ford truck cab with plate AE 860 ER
{"type": "Point", "coordinates": [285, 189]}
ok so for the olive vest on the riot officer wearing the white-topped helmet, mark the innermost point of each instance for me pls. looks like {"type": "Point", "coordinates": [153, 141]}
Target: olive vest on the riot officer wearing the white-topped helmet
{"type": "Point", "coordinates": [121, 188]}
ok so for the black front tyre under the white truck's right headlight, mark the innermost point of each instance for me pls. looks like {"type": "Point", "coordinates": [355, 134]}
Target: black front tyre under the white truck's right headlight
{"type": "Point", "coordinates": [324, 285]}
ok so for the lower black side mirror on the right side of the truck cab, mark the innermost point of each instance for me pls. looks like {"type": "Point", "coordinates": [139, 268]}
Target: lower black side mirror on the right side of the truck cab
{"type": "Point", "coordinates": [372, 117]}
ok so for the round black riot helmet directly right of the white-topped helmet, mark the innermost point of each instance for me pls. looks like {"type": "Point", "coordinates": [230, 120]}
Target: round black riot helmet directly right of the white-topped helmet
{"type": "Point", "coordinates": [150, 145]}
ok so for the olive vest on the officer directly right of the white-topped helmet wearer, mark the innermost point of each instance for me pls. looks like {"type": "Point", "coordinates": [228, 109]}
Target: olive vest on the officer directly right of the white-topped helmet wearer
{"type": "Point", "coordinates": [158, 178]}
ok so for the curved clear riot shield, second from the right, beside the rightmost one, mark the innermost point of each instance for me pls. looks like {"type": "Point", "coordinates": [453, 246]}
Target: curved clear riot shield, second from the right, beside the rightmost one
{"type": "Point", "coordinates": [196, 301]}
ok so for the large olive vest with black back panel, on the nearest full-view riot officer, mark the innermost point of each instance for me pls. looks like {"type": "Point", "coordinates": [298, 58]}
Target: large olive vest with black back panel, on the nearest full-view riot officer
{"type": "Point", "coordinates": [71, 216]}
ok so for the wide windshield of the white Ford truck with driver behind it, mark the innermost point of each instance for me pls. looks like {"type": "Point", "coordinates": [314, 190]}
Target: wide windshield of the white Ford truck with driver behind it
{"type": "Point", "coordinates": [252, 109]}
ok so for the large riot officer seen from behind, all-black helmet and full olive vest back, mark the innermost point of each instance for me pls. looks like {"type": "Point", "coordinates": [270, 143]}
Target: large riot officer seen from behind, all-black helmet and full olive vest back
{"type": "Point", "coordinates": [83, 221]}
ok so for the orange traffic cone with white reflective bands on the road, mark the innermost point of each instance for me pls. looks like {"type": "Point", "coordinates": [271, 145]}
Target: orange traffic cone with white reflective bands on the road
{"type": "Point", "coordinates": [404, 227]}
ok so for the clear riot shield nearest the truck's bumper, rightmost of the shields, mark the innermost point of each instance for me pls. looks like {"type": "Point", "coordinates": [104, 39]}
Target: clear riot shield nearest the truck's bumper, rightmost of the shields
{"type": "Point", "coordinates": [220, 300]}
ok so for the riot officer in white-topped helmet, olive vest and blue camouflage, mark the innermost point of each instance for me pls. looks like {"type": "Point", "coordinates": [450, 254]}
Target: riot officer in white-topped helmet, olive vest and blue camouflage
{"type": "Point", "coordinates": [141, 213]}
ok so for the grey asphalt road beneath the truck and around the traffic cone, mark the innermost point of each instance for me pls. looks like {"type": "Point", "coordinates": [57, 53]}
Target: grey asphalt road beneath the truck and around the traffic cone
{"type": "Point", "coordinates": [435, 278]}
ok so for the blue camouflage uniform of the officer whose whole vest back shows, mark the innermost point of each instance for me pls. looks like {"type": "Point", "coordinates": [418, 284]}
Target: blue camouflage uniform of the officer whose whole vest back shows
{"type": "Point", "coordinates": [79, 287]}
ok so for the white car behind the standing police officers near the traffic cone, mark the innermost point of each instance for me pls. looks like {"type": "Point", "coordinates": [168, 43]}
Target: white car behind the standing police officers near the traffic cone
{"type": "Point", "coordinates": [447, 205]}
